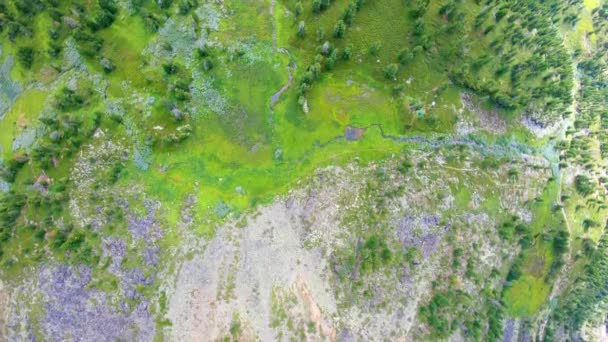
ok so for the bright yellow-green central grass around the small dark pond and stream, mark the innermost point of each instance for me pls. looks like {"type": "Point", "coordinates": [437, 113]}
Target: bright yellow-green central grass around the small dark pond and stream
{"type": "Point", "coordinates": [262, 152]}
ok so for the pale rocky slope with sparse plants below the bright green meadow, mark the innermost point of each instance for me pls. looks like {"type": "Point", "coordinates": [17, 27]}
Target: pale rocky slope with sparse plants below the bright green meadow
{"type": "Point", "coordinates": [278, 272]}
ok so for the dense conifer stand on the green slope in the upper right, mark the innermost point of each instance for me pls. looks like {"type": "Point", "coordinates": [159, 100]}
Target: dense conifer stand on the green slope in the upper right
{"type": "Point", "coordinates": [524, 65]}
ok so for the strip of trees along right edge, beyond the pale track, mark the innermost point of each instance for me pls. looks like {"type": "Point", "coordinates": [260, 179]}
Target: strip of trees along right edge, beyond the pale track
{"type": "Point", "coordinates": [584, 300]}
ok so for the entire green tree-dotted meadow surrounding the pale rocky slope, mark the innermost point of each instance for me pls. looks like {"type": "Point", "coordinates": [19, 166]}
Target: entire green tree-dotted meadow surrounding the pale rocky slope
{"type": "Point", "coordinates": [239, 102]}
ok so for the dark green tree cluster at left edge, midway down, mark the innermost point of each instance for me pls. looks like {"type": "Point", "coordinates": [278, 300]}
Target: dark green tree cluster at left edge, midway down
{"type": "Point", "coordinates": [63, 134]}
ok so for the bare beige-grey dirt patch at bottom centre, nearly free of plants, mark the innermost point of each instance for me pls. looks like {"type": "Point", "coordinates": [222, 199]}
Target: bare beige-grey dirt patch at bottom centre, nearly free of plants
{"type": "Point", "coordinates": [238, 272]}
